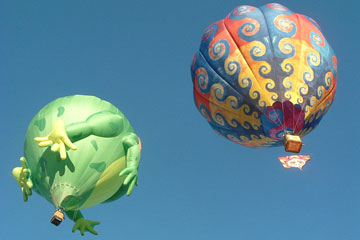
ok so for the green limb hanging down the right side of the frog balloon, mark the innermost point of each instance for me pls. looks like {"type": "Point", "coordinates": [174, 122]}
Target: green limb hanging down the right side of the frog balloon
{"type": "Point", "coordinates": [132, 147]}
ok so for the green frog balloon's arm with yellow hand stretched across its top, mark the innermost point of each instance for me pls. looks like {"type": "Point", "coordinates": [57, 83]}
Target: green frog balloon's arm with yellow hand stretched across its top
{"type": "Point", "coordinates": [102, 124]}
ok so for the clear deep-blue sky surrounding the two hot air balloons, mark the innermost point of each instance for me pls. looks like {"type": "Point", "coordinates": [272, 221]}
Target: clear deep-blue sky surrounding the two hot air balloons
{"type": "Point", "coordinates": [193, 184]}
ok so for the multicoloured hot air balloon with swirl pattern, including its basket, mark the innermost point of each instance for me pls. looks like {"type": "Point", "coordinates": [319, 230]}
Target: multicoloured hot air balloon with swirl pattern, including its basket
{"type": "Point", "coordinates": [264, 77]}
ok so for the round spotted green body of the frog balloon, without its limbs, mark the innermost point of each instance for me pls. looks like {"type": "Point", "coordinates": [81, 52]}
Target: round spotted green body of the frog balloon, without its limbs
{"type": "Point", "coordinates": [90, 174]}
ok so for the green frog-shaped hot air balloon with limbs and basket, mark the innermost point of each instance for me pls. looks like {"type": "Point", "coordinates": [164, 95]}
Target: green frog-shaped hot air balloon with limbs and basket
{"type": "Point", "coordinates": [79, 151]}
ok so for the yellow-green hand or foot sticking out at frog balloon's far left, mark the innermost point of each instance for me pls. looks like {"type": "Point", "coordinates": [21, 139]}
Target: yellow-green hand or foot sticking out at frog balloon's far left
{"type": "Point", "coordinates": [23, 177]}
